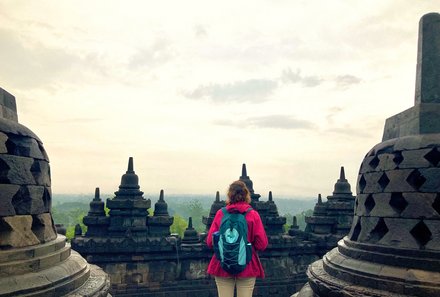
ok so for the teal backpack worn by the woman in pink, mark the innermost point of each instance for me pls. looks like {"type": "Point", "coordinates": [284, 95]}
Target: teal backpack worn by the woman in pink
{"type": "Point", "coordinates": [230, 243]}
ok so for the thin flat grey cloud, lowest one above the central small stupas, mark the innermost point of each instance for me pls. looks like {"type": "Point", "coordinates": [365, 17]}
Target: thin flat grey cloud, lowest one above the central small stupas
{"type": "Point", "coordinates": [285, 122]}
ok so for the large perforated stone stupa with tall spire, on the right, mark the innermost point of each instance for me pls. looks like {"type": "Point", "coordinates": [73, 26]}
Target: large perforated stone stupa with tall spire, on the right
{"type": "Point", "coordinates": [393, 248]}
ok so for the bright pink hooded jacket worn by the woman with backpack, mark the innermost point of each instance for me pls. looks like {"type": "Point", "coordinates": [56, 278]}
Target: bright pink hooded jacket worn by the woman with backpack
{"type": "Point", "coordinates": [256, 236]}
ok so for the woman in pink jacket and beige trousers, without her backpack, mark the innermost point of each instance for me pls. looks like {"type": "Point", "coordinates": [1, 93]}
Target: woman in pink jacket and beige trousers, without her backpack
{"type": "Point", "coordinates": [238, 199]}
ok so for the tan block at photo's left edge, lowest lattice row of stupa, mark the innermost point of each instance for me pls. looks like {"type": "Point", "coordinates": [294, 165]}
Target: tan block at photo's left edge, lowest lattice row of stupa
{"type": "Point", "coordinates": [16, 231]}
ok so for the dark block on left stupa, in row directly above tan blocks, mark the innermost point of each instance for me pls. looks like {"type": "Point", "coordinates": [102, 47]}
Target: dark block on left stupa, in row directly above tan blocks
{"type": "Point", "coordinates": [29, 200]}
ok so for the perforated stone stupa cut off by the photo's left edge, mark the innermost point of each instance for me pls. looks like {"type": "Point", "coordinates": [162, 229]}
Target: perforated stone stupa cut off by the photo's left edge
{"type": "Point", "coordinates": [34, 260]}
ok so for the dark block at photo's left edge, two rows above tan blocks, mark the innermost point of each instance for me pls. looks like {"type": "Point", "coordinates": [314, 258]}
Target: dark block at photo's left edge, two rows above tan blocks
{"type": "Point", "coordinates": [16, 170]}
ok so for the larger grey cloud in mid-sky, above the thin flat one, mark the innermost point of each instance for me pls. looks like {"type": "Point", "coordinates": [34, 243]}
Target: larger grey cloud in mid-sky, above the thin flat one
{"type": "Point", "coordinates": [251, 90]}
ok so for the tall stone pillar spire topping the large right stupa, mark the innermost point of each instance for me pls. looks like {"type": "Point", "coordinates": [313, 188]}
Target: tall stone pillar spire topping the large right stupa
{"type": "Point", "coordinates": [428, 60]}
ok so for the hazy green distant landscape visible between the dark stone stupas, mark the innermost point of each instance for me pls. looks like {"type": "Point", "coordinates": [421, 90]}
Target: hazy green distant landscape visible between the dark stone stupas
{"type": "Point", "coordinates": [69, 209]}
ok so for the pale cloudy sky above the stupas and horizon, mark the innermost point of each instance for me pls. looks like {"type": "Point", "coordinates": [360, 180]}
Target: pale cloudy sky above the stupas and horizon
{"type": "Point", "coordinates": [193, 89]}
